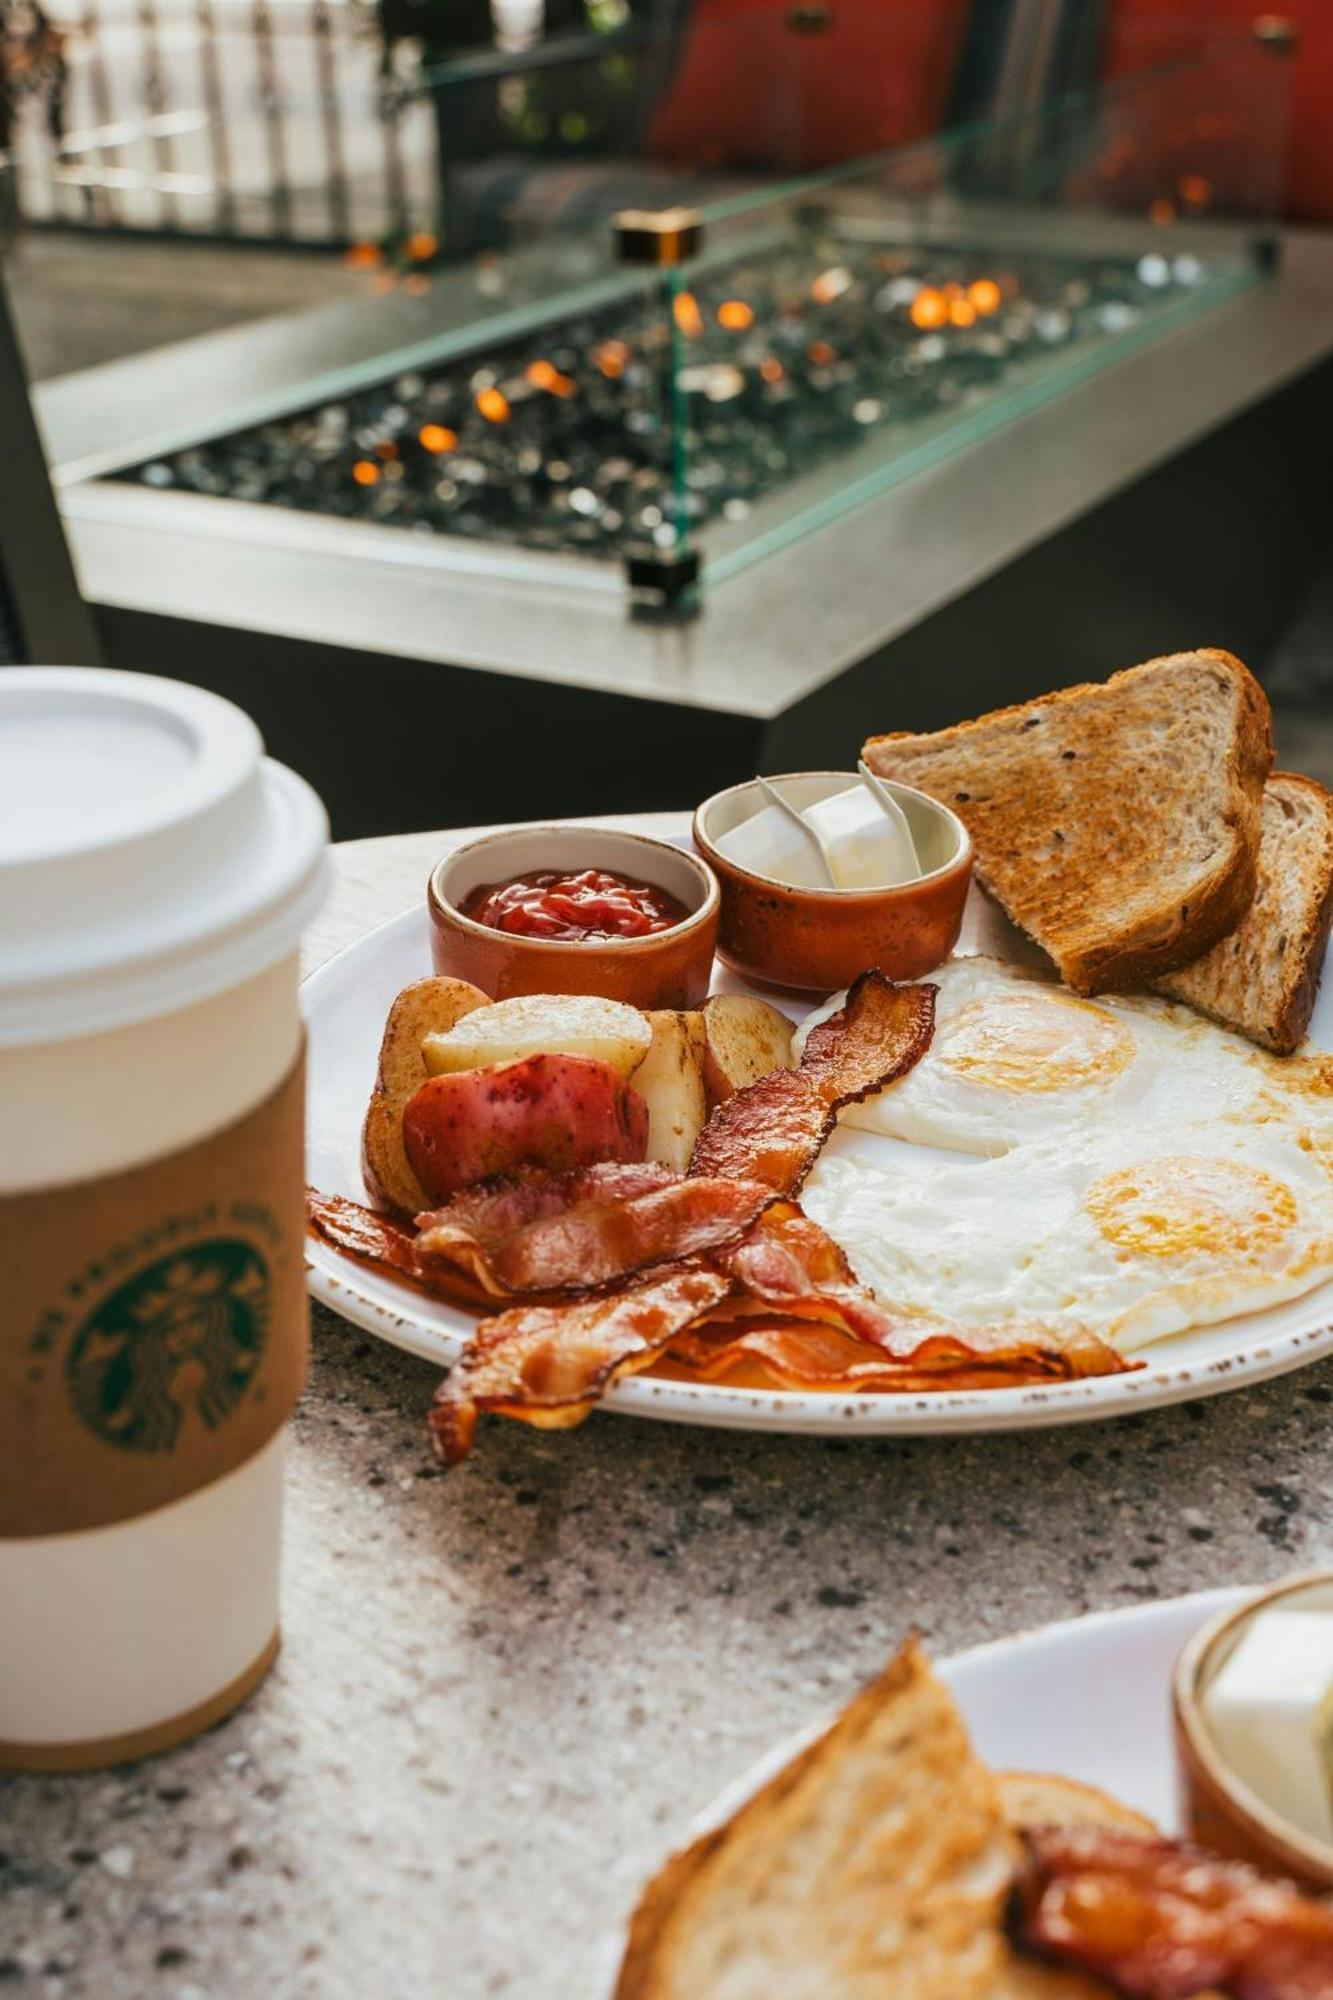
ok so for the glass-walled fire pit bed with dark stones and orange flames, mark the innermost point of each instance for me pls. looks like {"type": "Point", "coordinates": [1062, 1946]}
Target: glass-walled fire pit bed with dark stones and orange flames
{"type": "Point", "coordinates": [830, 339]}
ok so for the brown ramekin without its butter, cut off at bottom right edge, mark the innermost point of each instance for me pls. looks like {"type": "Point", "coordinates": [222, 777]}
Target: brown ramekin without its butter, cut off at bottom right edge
{"type": "Point", "coordinates": [1216, 1809]}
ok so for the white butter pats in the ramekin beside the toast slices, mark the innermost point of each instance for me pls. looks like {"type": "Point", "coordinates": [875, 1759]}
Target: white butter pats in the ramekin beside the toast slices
{"type": "Point", "coordinates": [866, 845]}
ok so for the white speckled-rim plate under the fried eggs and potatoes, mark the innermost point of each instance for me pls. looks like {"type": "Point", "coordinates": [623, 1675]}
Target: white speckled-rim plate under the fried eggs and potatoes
{"type": "Point", "coordinates": [347, 1003]}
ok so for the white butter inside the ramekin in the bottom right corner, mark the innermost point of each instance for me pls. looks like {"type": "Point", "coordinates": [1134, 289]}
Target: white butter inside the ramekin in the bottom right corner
{"type": "Point", "coordinates": [1270, 1713]}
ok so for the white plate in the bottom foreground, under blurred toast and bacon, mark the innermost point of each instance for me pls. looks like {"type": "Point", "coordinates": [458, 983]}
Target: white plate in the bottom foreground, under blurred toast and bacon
{"type": "Point", "coordinates": [1088, 1699]}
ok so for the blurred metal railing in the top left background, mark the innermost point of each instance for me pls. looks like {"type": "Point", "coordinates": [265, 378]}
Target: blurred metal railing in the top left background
{"type": "Point", "coordinates": [263, 121]}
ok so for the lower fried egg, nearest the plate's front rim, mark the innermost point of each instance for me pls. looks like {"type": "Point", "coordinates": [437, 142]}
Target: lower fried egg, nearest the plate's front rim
{"type": "Point", "coordinates": [1124, 1231]}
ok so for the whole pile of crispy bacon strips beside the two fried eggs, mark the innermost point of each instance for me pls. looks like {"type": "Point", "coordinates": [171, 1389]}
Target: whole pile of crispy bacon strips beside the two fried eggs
{"type": "Point", "coordinates": [714, 1275]}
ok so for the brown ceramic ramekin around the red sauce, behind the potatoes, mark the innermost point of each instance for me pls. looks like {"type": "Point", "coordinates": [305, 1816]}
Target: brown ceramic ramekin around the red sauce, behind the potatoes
{"type": "Point", "coordinates": [670, 969]}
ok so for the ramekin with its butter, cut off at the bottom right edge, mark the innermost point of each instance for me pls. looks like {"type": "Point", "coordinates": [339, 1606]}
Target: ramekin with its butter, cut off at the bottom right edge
{"type": "Point", "coordinates": [1254, 1727]}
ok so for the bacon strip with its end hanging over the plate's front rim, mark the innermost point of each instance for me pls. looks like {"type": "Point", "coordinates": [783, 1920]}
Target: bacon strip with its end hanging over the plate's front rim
{"type": "Point", "coordinates": [549, 1365]}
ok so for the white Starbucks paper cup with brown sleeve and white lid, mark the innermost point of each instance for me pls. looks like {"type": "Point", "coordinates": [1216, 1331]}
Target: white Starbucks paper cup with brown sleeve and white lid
{"type": "Point", "coordinates": [155, 879]}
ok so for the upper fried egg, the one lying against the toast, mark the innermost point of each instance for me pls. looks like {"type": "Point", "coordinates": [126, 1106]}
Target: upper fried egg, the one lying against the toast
{"type": "Point", "coordinates": [1016, 1057]}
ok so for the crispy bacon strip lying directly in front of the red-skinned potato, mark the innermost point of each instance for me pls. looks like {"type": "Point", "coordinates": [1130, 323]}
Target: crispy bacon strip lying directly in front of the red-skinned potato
{"type": "Point", "coordinates": [587, 1231]}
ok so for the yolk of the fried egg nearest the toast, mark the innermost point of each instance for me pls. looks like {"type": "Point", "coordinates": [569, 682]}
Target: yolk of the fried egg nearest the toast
{"type": "Point", "coordinates": [1036, 1043]}
